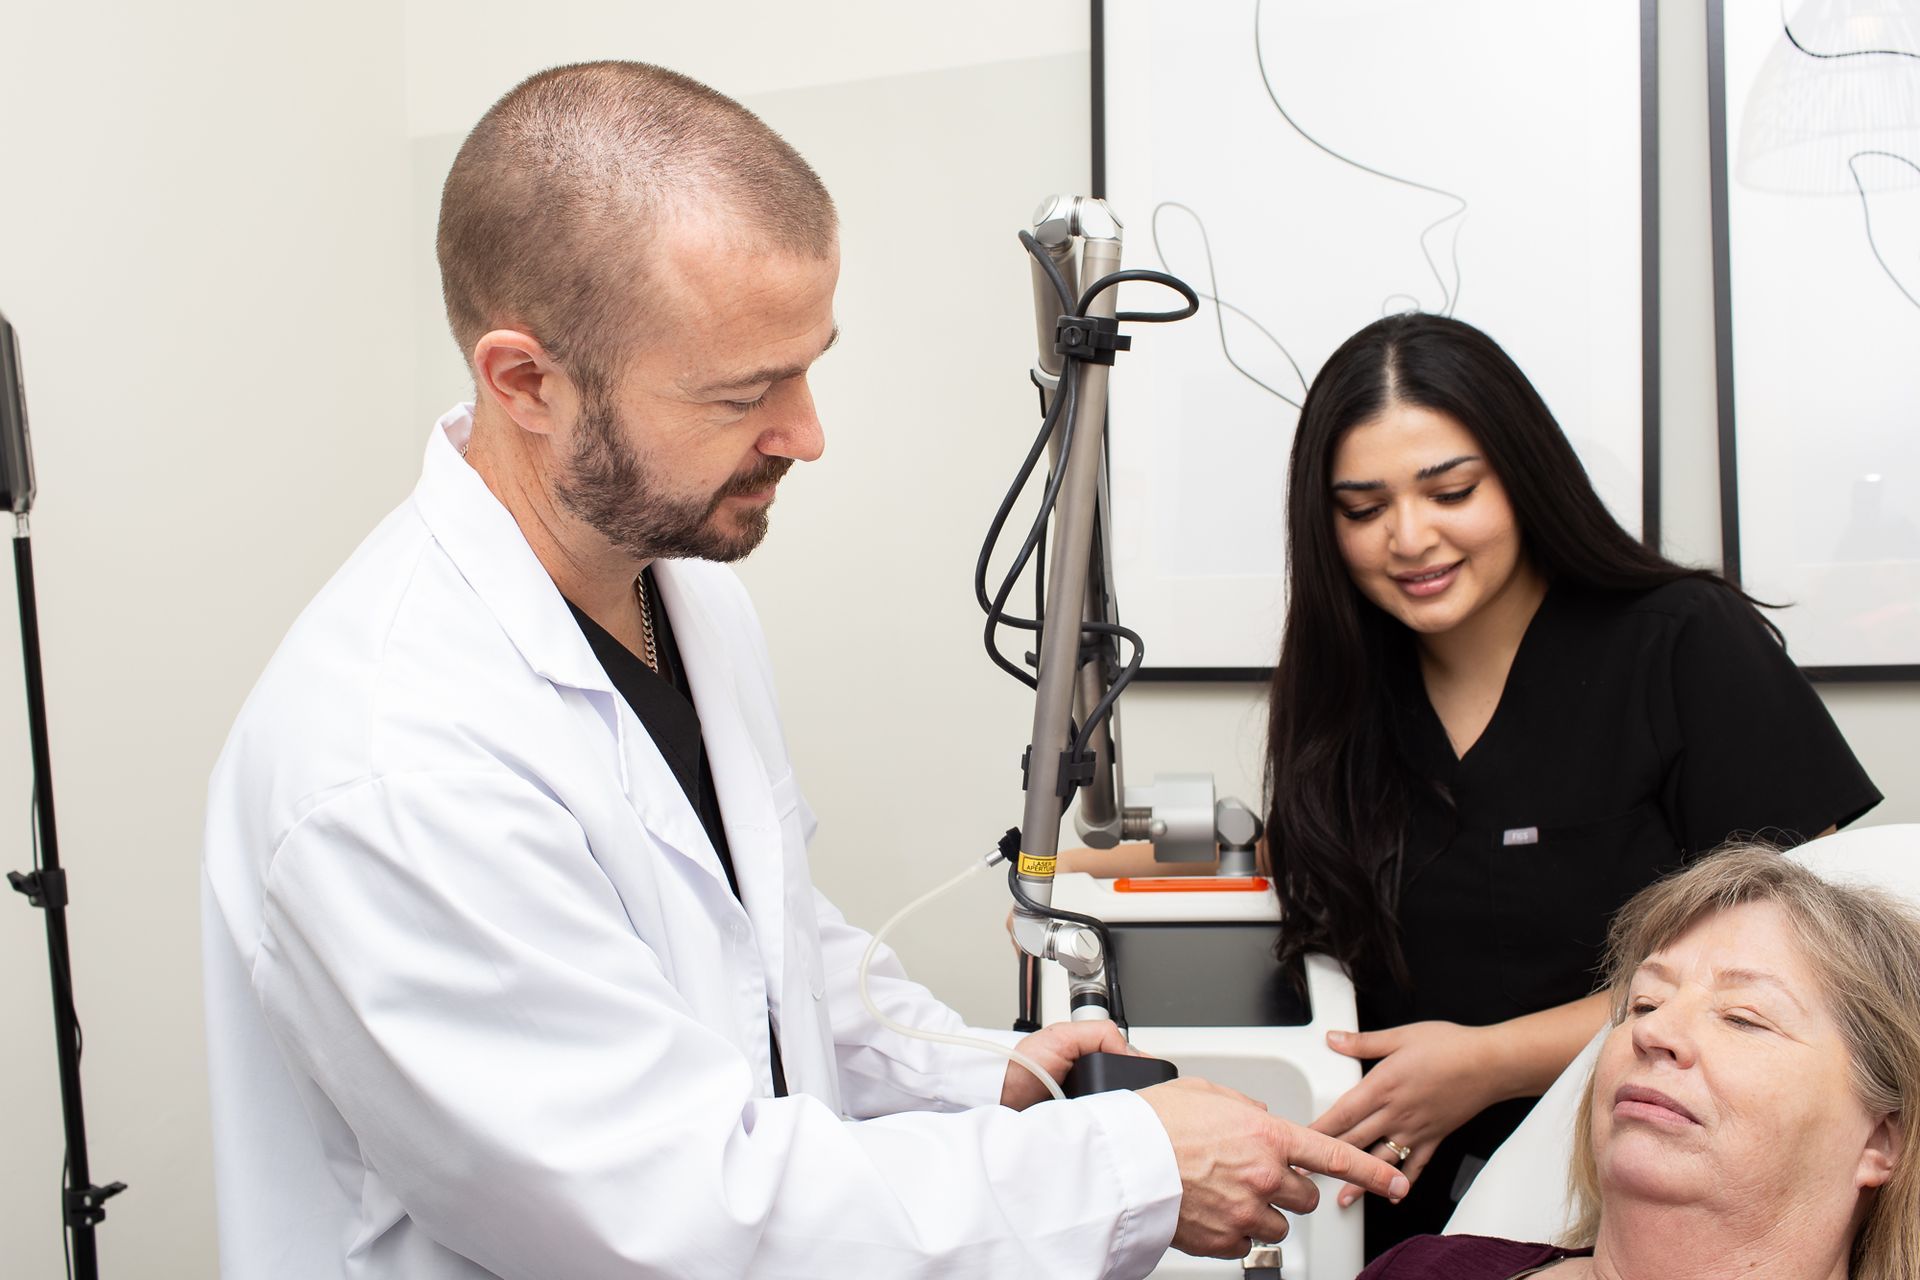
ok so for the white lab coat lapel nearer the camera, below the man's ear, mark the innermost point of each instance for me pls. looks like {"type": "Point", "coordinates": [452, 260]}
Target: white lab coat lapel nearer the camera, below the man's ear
{"type": "Point", "coordinates": [491, 552]}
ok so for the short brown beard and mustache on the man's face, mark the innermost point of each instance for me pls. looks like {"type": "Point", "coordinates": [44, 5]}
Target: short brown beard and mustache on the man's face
{"type": "Point", "coordinates": [629, 506]}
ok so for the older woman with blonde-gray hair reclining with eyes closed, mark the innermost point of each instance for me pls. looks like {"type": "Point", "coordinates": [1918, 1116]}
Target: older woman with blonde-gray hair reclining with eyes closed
{"type": "Point", "coordinates": [1752, 1104]}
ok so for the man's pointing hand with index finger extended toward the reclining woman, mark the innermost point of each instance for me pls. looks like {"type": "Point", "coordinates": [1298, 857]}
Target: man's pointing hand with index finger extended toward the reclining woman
{"type": "Point", "coordinates": [1237, 1164]}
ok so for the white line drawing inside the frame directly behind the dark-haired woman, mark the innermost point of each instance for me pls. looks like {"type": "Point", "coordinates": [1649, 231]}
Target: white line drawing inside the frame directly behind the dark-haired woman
{"type": "Point", "coordinates": [1310, 168]}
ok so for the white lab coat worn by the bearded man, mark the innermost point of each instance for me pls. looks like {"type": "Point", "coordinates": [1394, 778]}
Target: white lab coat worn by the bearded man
{"type": "Point", "coordinates": [481, 1003]}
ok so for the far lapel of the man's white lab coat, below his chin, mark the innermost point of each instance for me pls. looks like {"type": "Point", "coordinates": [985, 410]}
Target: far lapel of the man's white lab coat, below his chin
{"type": "Point", "coordinates": [740, 772]}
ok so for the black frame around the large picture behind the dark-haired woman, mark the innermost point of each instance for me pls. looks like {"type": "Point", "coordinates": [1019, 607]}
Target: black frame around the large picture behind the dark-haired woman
{"type": "Point", "coordinates": [1650, 214]}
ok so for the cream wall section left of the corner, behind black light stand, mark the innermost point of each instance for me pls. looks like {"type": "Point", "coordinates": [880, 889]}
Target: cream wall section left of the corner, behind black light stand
{"type": "Point", "coordinates": [203, 245]}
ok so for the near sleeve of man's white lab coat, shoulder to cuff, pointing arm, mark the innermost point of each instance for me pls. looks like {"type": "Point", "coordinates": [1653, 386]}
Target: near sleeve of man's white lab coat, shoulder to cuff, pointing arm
{"type": "Point", "coordinates": [448, 964]}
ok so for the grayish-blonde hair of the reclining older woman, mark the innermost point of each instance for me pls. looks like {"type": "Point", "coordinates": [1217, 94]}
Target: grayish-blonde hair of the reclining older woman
{"type": "Point", "coordinates": [1863, 947]}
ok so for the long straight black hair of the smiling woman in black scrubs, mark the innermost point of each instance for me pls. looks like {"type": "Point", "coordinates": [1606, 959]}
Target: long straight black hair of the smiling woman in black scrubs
{"type": "Point", "coordinates": [1337, 786]}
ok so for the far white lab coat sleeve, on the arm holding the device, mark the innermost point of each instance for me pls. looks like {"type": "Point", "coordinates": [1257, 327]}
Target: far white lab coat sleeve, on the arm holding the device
{"type": "Point", "coordinates": [880, 1070]}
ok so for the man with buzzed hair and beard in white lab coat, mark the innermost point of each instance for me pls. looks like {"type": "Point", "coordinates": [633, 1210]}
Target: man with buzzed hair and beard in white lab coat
{"type": "Point", "coordinates": [514, 960]}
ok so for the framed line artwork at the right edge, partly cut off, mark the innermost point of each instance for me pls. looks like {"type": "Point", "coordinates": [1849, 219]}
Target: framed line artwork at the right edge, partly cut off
{"type": "Point", "coordinates": [1815, 116]}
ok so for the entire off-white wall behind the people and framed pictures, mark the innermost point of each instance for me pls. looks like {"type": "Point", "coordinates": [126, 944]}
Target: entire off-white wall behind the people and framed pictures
{"type": "Point", "coordinates": [216, 237]}
